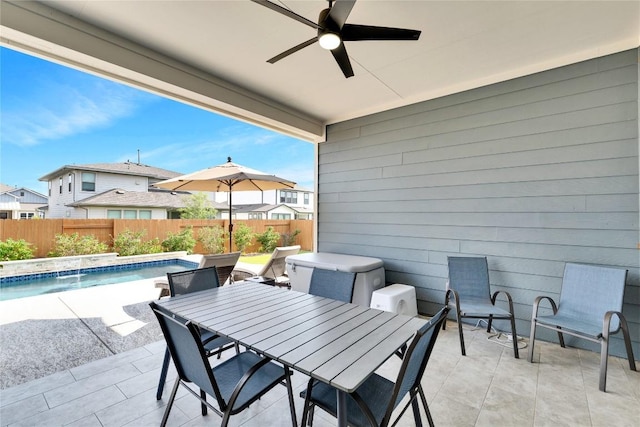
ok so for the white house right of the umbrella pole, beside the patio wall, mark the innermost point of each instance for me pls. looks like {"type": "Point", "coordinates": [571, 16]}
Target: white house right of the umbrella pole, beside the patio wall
{"type": "Point", "coordinates": [296, 202]}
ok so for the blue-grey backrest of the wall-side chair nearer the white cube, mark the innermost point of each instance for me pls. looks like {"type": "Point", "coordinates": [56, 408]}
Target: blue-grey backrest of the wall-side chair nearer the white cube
{"type": "Point", "coordinates": [469, 276]}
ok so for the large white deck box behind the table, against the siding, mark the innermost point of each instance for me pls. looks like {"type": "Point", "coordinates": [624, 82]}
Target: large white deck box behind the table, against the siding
{"type": "Point", "coordinates": [369, 277]}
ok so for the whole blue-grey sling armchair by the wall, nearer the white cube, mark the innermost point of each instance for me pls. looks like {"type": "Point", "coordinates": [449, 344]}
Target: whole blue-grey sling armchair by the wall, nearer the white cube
{"type": "Point", "coordinates": [469, 286]}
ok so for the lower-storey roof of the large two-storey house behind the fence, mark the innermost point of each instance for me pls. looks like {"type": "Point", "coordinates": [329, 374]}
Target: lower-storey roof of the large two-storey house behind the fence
{"type": "Point", "coordinates": [153, 199]}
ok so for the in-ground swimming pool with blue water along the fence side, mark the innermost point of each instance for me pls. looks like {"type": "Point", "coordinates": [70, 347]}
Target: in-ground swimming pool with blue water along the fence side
{"type": "Point", "coordinates": [59, 281]}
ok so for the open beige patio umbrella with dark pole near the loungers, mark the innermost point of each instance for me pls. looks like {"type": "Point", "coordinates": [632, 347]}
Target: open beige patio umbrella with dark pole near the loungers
{"type": "Point", "coordinates": [226, 177]}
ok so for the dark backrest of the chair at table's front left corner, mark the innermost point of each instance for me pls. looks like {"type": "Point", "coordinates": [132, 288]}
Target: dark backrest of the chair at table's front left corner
{"type": "Point", "coordinates": [187, 352]}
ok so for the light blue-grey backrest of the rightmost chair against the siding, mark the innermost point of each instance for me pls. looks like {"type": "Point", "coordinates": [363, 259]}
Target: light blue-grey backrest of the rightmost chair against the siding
{"type": "Point", "coordinates": [589, 291]}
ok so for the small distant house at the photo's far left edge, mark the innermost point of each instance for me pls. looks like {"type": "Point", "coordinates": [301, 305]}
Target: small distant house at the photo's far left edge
{"type": "Point", "coordinates": [21, 203]}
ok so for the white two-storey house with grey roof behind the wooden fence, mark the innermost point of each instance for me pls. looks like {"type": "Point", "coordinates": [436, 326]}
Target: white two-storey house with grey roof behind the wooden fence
{"type": "Point", "coordinates": [111, 190]}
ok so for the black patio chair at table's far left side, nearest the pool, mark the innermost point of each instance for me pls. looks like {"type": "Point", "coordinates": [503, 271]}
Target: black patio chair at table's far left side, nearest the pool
{"type": "Point", "coordinates": [184, 282]}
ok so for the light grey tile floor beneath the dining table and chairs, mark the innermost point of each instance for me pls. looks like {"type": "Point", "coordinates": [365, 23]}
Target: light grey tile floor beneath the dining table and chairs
{"type": "Point", "coordinates": [488, 387]}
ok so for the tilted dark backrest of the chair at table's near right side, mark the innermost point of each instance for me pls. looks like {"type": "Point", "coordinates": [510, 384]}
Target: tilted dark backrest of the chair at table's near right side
{"type": "Point", "coordinates": [416, 358]}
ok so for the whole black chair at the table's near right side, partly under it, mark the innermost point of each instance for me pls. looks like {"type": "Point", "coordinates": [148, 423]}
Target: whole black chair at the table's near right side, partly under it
{"type": "Point", "coordinates": [374, 401]}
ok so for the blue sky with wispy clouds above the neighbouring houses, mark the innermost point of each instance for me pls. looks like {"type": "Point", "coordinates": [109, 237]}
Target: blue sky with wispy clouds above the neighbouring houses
{"type": "Point", "coordinates": [52, 115]}
